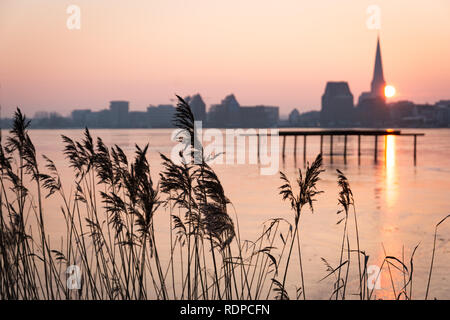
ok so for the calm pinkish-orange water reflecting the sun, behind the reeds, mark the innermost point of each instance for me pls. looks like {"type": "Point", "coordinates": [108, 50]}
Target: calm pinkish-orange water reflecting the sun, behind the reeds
{"type": "Point", "coordinates": [398, 203]}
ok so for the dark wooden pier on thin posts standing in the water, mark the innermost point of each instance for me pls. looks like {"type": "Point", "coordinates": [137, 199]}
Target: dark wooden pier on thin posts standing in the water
{"type": "Point", "coordinates": [345, 133]}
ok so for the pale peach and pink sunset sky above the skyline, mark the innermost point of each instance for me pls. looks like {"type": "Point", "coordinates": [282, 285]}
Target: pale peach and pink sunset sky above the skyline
{"type": "Point", "coordinates": [278, 53]}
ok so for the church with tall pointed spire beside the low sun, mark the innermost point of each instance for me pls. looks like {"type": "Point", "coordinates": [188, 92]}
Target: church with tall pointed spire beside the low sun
{"type": "Point", "coordinates": [372, 109]}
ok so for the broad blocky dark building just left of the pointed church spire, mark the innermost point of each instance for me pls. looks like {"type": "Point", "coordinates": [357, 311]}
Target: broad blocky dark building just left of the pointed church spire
{"type": "Point", "coordinates": [337, 105]}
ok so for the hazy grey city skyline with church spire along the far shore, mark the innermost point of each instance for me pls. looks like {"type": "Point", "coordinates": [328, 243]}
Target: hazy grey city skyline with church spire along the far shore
{"type": "Point", "coordinates": [338, 109]}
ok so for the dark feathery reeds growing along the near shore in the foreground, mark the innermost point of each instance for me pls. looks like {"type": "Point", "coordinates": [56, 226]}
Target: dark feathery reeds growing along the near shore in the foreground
{"type": "Point", "coordinates": [111, 248]}
